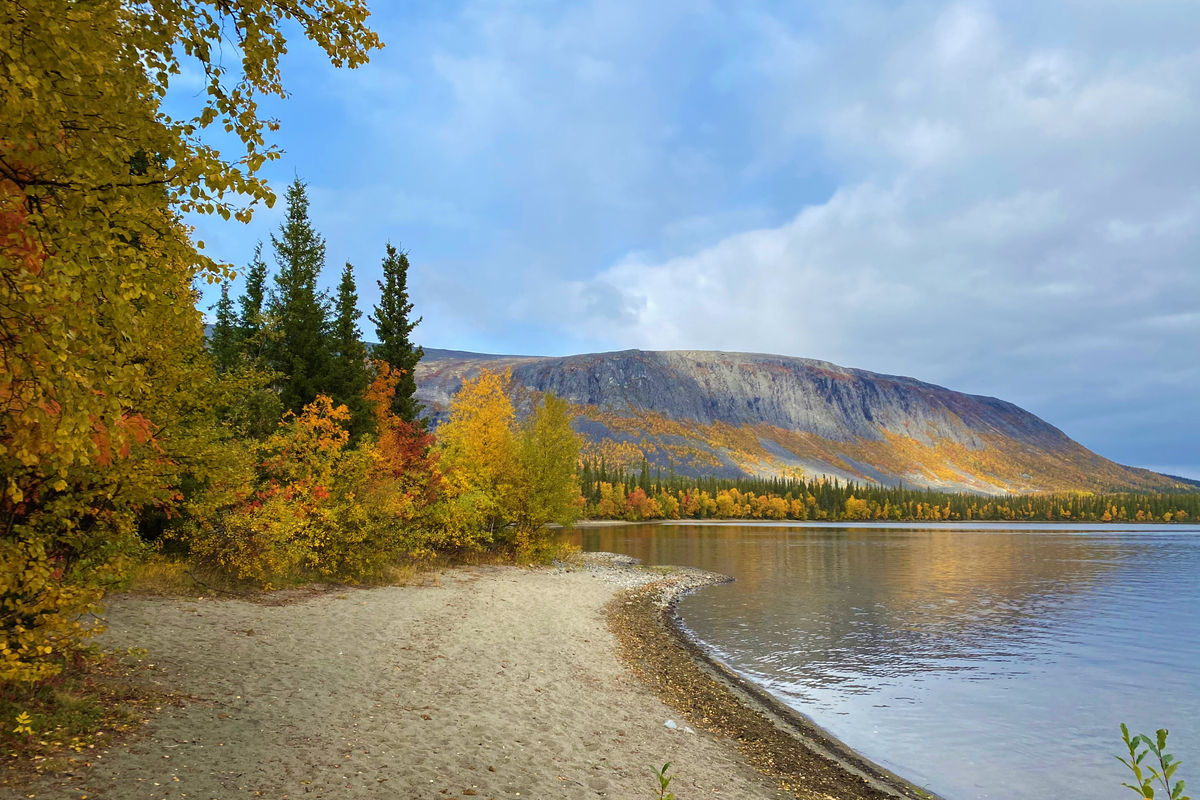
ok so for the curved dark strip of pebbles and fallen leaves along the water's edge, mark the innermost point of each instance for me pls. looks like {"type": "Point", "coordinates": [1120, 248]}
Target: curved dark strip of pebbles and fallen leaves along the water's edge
{"type": "Point", "coordinates": [800, 755]}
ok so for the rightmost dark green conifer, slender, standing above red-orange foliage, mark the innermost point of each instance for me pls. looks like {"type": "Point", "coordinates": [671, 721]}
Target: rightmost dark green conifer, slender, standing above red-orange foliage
{"type": "Point", "coordinates": [394, 329]}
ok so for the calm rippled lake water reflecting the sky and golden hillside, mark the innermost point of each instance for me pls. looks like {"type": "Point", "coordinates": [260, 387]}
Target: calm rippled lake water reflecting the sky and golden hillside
{"type": "Point", "coordinates": [979, 663]}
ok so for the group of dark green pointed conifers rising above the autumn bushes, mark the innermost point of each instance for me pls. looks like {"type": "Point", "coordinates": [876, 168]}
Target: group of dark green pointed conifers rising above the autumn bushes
{"type": "Point", "coordinates": [297, 344]}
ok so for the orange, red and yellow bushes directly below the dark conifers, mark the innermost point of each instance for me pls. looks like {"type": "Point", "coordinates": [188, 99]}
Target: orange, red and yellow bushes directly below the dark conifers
{"type": "Point", "coordinates": [313, 507]}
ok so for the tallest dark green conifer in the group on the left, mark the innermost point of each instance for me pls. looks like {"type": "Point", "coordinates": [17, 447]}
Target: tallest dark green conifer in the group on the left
{"type": "Point", "coordinates": [299, 350]}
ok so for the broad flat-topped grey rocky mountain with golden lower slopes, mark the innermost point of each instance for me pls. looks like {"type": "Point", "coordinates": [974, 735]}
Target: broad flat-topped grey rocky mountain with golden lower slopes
{"type": "Point", "coordinates": [706, 413]}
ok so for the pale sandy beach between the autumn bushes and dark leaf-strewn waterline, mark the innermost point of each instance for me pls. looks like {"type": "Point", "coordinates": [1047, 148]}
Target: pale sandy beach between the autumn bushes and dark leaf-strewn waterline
{"type": "Point", "coordinates": [487, 682]}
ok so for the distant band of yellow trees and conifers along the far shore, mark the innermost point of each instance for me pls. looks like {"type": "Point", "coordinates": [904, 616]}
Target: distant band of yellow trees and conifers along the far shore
{"type": "Point", "coordinates": [619, 495]}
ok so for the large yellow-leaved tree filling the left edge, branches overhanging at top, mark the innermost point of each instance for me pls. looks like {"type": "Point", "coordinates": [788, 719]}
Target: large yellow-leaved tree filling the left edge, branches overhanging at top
{"type": "Point", "coordinates": [97, 311]}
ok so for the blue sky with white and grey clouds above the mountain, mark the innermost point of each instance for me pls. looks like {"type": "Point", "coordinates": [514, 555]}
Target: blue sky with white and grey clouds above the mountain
{"type": "Point", "coordinates": [999, 199]}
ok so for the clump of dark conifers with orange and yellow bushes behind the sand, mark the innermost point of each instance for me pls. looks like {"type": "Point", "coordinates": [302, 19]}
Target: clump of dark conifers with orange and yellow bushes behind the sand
{"type": "Point", "coordinates": [328, 468]}
